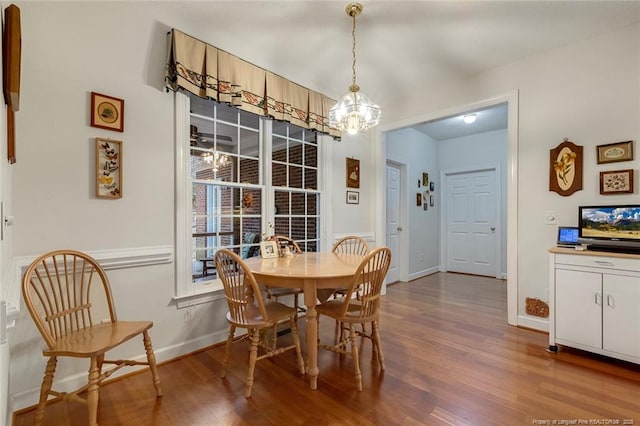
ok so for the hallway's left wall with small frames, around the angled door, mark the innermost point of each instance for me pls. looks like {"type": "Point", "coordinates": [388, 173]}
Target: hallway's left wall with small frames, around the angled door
{"type": "Point", "coordinates": [419, 154]}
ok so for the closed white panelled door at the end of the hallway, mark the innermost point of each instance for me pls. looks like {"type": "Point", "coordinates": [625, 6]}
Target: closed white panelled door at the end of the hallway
{"type": "Point", "coordinates": [471, 221]}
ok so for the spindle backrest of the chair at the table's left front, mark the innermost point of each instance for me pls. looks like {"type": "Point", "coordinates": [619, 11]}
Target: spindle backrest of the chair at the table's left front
{"type": "Point", "coordinates": [243, 295]}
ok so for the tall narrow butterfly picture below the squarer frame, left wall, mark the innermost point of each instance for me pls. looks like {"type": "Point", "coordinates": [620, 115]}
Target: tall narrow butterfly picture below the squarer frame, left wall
{"type": "Point", "coordinates": [108, 168]}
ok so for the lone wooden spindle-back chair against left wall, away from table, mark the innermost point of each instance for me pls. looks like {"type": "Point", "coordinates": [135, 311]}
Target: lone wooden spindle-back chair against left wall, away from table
{"type": "Point", "coordinates": [69, 298]}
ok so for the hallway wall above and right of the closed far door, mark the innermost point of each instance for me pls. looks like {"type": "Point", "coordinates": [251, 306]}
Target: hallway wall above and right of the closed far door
{"type": "Point", "coordinates": [475, 152]}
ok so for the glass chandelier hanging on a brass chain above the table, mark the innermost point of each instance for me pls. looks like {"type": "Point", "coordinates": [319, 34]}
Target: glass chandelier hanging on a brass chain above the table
{"type": "Point", "coordinates": [354, 112]}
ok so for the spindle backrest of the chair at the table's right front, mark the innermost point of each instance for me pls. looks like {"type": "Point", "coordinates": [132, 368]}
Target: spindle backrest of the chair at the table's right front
{"type": "Point", "coordinates": [363, 295]}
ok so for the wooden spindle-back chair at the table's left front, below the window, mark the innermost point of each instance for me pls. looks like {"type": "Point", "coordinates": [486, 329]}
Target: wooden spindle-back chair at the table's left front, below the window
{"type": "Point", "coordinates": [248, 310]}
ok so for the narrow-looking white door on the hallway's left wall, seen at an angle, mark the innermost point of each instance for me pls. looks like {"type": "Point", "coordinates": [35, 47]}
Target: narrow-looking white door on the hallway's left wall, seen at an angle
{"type": "Point", "coordinates": [393, 220]}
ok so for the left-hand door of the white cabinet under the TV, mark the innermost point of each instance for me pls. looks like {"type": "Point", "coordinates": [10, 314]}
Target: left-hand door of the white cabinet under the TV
{"type": "Point", "coordinates": [578, 307]}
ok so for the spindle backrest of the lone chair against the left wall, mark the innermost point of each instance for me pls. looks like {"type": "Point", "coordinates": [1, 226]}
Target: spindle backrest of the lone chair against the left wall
{"type": "Point", "coordinates": [59, 292]}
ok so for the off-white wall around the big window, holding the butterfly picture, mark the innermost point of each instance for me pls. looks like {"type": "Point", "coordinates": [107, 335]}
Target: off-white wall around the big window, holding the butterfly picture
{"type": "Point", "coordinates": [119, 49]}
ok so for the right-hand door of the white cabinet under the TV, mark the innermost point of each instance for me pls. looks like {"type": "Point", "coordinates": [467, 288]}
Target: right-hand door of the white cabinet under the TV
{"type": "Point", "coordinates": [621, 315]}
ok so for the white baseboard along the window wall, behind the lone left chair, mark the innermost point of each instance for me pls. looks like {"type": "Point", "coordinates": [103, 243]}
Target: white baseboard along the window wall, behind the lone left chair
{"type": "Point", "coordinates": [30, 397]}
